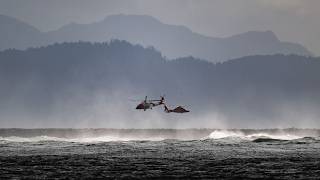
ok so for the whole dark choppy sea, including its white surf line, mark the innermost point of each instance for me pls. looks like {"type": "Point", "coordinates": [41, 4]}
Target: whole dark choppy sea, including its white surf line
{"type": "Point", "coordinates": [163, 153]}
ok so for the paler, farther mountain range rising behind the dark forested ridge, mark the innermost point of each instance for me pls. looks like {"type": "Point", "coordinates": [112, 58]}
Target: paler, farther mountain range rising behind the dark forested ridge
{"type": "Point", "coordinates": [173, 41]}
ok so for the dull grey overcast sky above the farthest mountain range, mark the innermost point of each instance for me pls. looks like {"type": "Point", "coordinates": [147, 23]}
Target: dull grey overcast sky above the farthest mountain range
{"type": "Point", "coordinates": [291, 20]}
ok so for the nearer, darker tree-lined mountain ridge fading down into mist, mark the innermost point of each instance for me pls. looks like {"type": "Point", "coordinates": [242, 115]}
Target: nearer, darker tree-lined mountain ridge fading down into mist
{"type": "Point", "coordinates": [65, 79]}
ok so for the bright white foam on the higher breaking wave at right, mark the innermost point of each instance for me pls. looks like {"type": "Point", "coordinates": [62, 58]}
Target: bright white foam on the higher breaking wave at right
{"type": "Point", "coordinates": [221, 134]}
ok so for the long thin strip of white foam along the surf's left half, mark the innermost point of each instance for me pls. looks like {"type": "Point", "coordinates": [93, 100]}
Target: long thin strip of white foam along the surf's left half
{"type": "Point", "coordinates": [82, 139]}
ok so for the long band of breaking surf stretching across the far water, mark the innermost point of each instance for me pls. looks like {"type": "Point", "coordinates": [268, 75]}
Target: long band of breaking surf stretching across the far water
{"type": "Point", "coordinates": [109, 135]}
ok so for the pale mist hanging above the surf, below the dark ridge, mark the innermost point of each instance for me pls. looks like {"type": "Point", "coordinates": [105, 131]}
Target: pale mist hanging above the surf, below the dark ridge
{"type": "Point", "coordinates": [115, 110]}
